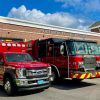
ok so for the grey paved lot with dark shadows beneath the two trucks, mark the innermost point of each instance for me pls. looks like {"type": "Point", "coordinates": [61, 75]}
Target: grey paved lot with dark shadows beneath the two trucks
{"type": "Point", "coordinates": [64, 90]}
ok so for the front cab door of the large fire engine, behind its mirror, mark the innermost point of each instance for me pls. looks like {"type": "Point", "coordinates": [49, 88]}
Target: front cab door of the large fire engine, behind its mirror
{"type": "Point", "coordinates": [61, 59]}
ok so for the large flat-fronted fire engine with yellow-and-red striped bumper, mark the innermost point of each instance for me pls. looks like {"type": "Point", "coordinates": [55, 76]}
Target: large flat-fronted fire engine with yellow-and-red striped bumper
{"type": "Point", "coordinates": [75, 59]}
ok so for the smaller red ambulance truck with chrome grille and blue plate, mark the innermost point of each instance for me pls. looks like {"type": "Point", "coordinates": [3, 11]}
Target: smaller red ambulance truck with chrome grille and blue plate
{"type": "Point", "coordinates": [18, 71]}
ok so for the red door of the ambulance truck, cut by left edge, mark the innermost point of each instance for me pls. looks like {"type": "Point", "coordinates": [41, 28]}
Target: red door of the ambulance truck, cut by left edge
{"type": "Point", "coordinates": [1, 69]}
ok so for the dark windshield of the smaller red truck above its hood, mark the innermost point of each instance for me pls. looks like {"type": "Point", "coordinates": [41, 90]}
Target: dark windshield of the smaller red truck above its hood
{"type": "Point", "coordinates": [11, 57]}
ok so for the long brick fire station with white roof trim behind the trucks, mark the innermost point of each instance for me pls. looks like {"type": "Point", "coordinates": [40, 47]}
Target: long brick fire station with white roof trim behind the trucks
{"type": "Point", "coordinates": [24, 30]}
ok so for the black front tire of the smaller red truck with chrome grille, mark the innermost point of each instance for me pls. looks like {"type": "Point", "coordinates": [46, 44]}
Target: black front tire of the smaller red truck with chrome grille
{"type": "Point", "coordinates": [9, 86]}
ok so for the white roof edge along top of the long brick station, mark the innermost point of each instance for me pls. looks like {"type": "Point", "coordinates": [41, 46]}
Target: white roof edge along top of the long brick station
{"type": "Point", "coordinates": [44, 26]}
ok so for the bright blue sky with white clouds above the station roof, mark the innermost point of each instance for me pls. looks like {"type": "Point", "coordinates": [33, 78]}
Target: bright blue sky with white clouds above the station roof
{"type": "Point", "coordinates": [77, 14]}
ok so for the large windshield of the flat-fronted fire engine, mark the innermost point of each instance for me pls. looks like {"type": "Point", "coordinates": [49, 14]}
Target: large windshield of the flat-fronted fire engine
{"type": "Point", "coordinates": [83, 48]}
